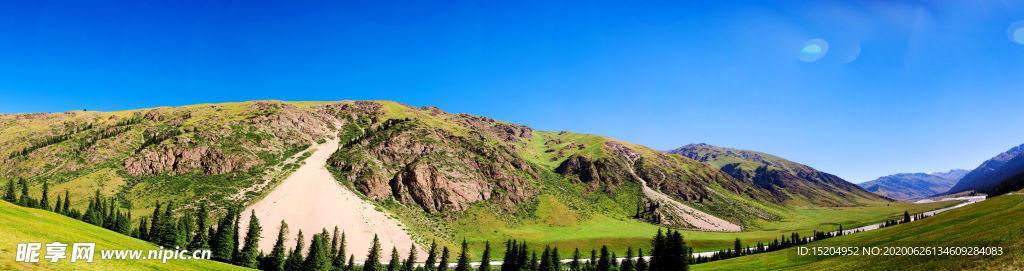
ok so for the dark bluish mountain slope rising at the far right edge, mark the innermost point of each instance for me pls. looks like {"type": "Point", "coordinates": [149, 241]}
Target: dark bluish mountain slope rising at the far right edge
{"type": "Point", "coordinates": [993, 172]}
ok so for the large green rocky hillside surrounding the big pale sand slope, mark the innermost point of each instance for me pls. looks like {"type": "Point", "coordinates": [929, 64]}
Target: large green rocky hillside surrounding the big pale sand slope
{"type": "Point", "coordinates": [447, 176]}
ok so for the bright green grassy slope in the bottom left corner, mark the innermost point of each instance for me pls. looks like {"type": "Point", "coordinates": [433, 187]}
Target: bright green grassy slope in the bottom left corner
{"type": "Point", "coordinates": [21, 225]}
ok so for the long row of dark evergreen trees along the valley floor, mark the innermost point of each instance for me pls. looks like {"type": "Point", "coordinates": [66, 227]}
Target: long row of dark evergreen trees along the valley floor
{"type": "Point", "coordinates": [327, 251]}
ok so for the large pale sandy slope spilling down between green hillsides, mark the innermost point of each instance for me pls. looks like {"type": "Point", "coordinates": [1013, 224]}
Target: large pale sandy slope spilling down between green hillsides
{"type": "Point", "coordinates": [311, 200]}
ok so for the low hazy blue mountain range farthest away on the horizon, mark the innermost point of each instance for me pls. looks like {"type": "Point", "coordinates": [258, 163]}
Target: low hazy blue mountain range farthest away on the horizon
{"type": "Point", "coordinates": [915, 186]}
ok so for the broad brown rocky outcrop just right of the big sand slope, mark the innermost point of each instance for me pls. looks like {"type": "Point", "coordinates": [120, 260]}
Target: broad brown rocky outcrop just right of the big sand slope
{"type": "Point", "coordinates": [431, 167]}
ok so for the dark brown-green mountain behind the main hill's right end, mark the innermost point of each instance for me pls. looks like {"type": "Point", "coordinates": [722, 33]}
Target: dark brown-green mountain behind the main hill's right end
{"type": "Point", "coordinates": [786, 180]}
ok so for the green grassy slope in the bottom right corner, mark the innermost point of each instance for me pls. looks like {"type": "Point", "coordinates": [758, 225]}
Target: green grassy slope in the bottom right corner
{"type": "Point", "coordinates": [996, 222]}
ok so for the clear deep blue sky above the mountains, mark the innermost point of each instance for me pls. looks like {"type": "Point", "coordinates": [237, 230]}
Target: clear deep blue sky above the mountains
{"type": "Point", "coordinates": [895, 86]}
